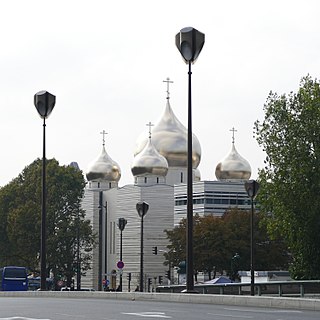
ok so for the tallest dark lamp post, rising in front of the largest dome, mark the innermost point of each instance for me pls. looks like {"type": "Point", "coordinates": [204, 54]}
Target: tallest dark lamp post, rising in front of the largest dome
{"type": "Point", "coordinates": [189, 42]}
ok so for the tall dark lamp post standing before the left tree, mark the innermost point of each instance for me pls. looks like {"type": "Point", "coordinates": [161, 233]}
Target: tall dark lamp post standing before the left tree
{"type": "Point", "coordinates": [44, 103]}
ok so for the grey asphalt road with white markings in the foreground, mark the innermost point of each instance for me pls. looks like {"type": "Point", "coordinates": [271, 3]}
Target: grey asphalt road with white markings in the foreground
{"type": "Point", "coordinates": [39, 308]}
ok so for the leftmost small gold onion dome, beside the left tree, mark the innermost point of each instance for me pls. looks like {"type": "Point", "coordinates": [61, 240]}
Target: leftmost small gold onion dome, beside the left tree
{"type": "Point", "coordinates": [103, 169]}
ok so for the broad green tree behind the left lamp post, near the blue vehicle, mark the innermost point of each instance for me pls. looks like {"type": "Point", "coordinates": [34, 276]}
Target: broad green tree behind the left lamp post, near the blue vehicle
{"type": "Point", "coordinates": [20, 216]}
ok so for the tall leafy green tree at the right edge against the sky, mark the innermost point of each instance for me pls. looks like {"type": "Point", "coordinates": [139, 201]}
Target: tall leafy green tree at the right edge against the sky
{"type": "Point", "coordinates": [290, 181]}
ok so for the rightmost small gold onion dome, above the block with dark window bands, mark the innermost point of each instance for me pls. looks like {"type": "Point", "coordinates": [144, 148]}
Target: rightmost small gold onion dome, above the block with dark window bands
{"type": "Point", "coordinates": [233, 167]}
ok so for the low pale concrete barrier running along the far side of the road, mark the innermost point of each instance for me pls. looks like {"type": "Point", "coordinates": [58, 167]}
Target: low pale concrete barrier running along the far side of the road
{"type": "Point", "coordinates": [233, 300]}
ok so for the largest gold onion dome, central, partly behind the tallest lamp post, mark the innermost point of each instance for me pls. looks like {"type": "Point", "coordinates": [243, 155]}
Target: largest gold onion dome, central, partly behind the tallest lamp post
{"type": "Point", "coordinates": [169, 137]}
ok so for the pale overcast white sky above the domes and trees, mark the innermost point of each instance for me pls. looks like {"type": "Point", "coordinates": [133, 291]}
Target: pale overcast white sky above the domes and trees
{"type": "Point", "coordinates": [105, 61]}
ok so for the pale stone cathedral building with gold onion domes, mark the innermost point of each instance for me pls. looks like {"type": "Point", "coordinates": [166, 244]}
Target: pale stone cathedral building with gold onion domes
{"type": "Point", "coordinates": [159, 173]}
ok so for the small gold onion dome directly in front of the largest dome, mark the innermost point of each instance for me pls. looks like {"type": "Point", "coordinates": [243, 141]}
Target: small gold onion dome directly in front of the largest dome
{"type": "Point", "coordinates": [149, 162]}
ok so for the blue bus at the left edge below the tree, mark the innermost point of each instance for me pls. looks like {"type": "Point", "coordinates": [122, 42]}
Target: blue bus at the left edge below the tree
{"type": "Point", "coordinates": [13, 279]}
